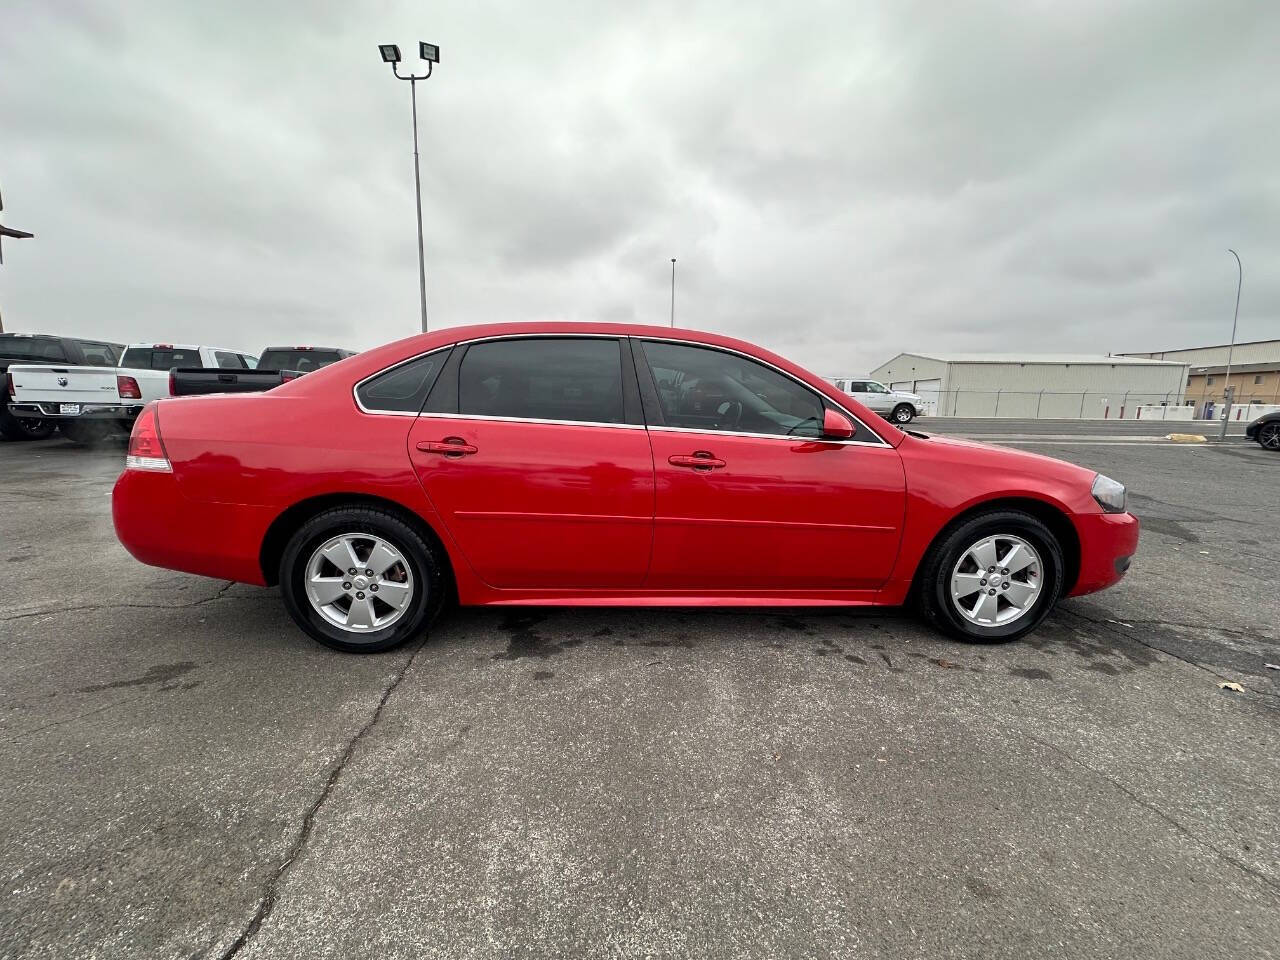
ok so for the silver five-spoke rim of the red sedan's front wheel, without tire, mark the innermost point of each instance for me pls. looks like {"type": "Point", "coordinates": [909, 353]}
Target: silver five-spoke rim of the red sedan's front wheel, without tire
{"type": "Point", "coordinates": [998, 580]}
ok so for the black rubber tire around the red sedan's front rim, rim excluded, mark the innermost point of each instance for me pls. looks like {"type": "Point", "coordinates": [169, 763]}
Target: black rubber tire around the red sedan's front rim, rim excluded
{"type": "Point", "coordinates": [934, 584]}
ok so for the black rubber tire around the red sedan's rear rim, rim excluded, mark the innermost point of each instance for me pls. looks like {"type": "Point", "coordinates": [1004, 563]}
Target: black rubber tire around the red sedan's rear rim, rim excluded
{"type": "Point", "coordinates": [427, 564]}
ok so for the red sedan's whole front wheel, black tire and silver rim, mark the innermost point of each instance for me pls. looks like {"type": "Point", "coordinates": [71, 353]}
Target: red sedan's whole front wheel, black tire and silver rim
{"type": "Point", "coordinates": [994, 578]}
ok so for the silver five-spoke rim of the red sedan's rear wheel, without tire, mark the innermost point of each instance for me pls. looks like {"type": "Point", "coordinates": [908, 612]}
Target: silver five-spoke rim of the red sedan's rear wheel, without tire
{"type": "Point", "coordinates": [359, 583]}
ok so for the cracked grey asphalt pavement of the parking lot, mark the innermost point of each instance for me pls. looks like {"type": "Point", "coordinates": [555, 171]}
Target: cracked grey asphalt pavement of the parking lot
{"type": "Point", "coordinates": [184, 774]}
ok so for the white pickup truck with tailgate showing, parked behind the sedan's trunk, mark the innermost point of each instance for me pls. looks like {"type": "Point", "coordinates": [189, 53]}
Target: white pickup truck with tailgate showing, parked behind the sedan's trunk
{"type": "Point", "coordinates": [92, 403]}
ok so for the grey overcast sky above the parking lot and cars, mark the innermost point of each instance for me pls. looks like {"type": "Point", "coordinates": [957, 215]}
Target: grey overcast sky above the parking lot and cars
{"type": "Point", "coordinates": [839, 181]}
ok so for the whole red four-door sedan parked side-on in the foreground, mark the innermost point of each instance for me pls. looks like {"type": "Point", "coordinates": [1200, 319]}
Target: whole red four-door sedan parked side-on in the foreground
{"type": "Point", "coordinates": [610, 465]}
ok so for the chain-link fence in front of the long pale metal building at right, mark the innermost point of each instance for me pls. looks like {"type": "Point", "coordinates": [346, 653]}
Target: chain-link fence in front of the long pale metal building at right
{"type": "Point", "coordinates": [1085, 405]}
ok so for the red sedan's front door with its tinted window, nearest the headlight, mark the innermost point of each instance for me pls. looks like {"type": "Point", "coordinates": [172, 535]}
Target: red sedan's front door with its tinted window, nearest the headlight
{"type": "Point", "coordinates": [749, 497]}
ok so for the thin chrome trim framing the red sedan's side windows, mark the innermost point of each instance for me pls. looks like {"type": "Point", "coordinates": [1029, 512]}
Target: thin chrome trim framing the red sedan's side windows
{"type": "Point", "coordinates": [880, 441]}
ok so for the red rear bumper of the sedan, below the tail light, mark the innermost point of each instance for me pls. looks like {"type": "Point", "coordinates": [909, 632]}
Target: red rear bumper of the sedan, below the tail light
{"type": "Point", "coordinates": [162, 528]}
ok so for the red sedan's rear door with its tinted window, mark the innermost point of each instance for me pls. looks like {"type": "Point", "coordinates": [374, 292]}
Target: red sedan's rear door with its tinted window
{"type": "Point", "coordinates": [533, 451]}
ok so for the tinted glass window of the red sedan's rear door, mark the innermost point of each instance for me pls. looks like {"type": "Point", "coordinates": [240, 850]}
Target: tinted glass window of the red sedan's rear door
{"type": "Point", "coordinates": [547, 378]}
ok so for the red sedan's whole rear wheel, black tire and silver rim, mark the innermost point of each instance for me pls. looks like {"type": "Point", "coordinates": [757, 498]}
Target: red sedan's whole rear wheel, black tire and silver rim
{"type": "Point", "coordinates": [362, 580]}
